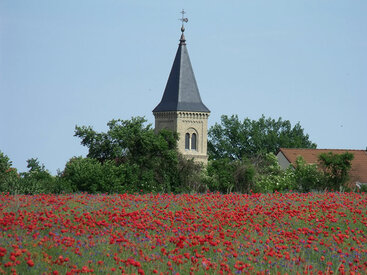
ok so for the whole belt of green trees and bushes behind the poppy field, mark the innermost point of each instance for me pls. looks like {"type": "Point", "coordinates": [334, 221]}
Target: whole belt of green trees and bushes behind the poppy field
{"type": "Point", "coordinates": [131, 157]}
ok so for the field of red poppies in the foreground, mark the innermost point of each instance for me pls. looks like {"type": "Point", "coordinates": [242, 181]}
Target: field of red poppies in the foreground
{"type": "Point", "coordinates": [313, 233]}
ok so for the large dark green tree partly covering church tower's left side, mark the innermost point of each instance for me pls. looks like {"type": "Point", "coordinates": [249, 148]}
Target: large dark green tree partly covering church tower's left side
{"type": "Point", "coordinates": [149, 161]}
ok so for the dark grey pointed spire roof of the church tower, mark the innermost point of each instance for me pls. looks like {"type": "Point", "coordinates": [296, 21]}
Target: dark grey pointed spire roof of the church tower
{"type": "Point", "coordinates": [181, 92]}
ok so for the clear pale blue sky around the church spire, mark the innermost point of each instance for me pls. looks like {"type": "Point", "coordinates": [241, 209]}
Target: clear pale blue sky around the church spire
{"type": "Point", "coordinates": [65, 63]}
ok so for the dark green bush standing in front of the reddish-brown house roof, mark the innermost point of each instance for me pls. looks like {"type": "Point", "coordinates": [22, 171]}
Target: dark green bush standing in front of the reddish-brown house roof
{"type": "Point", "coordinates": [336, 167]}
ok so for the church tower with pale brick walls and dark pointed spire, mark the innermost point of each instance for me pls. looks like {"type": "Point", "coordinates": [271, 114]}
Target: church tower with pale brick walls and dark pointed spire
{"type": "Point", "coordinates": [181, 108]}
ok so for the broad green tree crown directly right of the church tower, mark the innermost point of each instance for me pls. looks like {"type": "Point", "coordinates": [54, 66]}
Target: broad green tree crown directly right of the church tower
{"type": "Point", "coordinates": [234, 139]}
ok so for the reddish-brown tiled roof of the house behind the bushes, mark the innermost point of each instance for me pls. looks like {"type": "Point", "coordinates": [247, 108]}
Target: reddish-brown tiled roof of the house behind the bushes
{"type": "Point", "coordinates": [358, 172]}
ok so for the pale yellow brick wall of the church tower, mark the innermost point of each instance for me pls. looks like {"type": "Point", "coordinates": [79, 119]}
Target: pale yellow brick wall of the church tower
{"type": "Point", "coordinates": [186, 122]}
